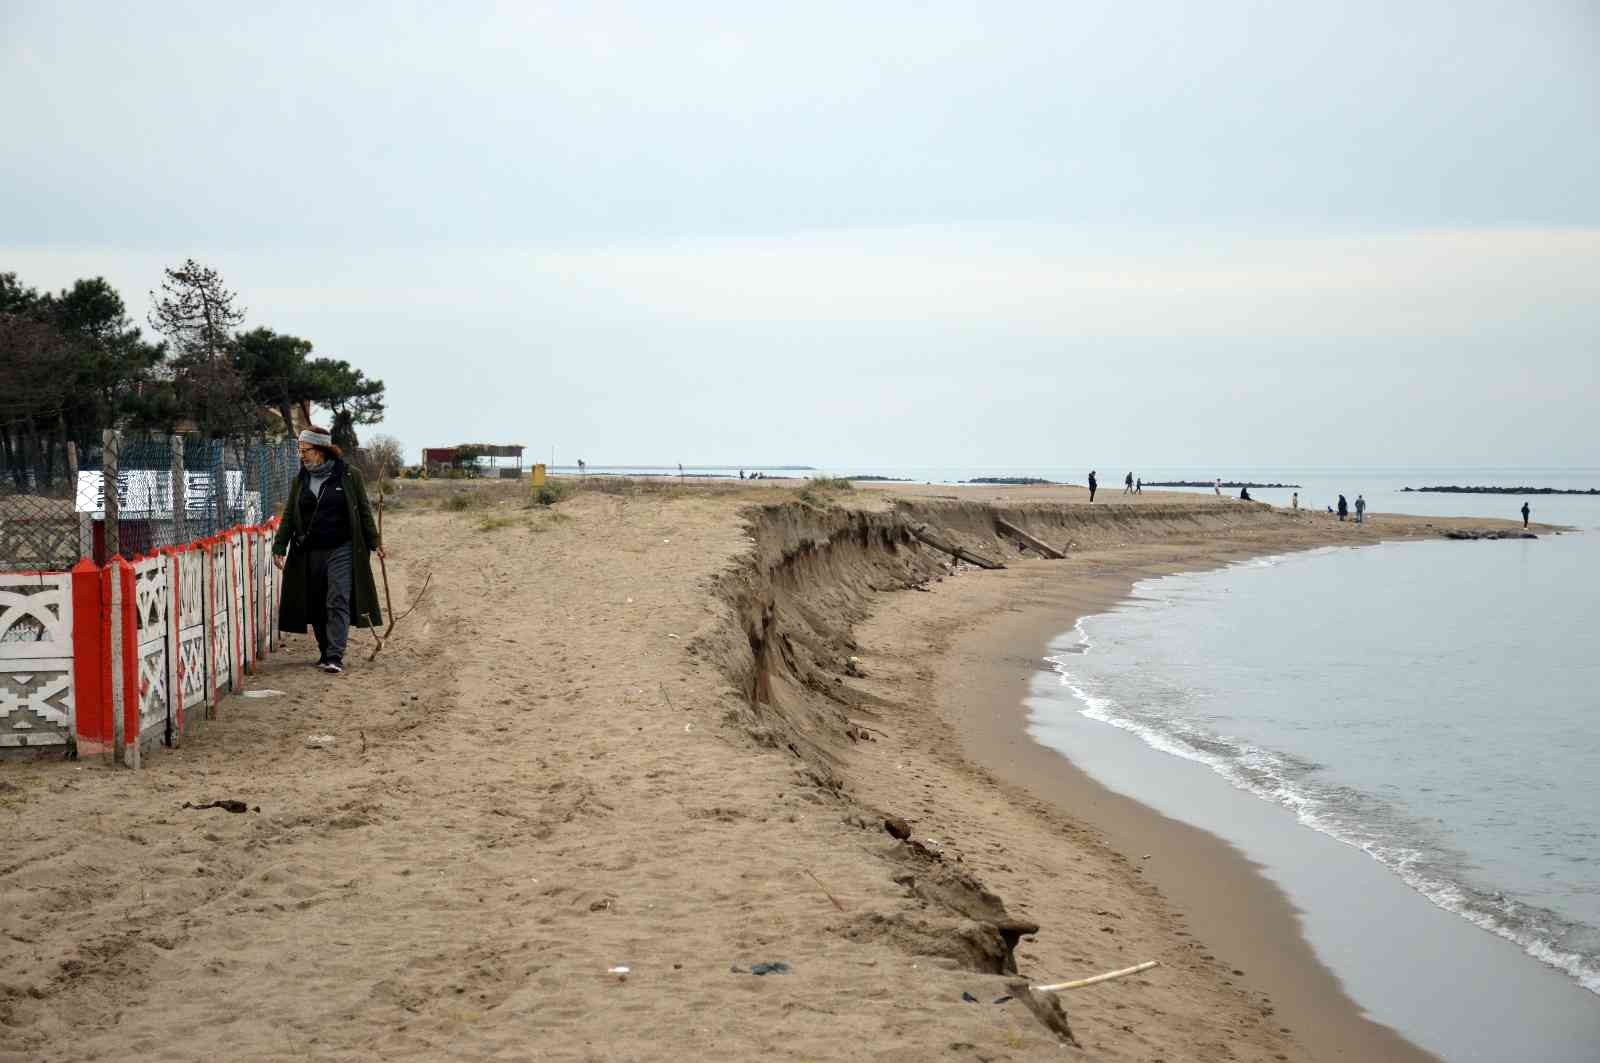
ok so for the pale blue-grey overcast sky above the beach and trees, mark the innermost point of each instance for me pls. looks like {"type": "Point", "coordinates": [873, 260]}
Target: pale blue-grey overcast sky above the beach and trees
{"type": "Point", "coordinates": [860, 236]}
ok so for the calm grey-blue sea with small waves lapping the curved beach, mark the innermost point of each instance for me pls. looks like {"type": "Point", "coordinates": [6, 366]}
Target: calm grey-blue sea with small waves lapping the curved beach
{"type": "Point", "coordinates": [1404, 737]}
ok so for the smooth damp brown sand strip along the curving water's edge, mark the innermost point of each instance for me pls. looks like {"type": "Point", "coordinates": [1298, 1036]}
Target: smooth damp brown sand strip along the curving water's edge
{"type": "Point", "coordinates": [985, 657]}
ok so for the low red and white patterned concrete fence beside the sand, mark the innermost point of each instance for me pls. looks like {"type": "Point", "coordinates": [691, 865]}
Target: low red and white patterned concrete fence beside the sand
{"type": "Point", "coordinates": [114, 659]}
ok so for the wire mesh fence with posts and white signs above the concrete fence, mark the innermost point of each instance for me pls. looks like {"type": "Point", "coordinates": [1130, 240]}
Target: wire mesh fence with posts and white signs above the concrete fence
{"type": "Point", "coordinates": [55, 507]}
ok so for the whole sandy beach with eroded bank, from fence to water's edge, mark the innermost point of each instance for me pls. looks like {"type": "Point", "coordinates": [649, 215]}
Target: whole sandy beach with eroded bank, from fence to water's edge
{"type": "Point", "coordinates": [622, 734]}
